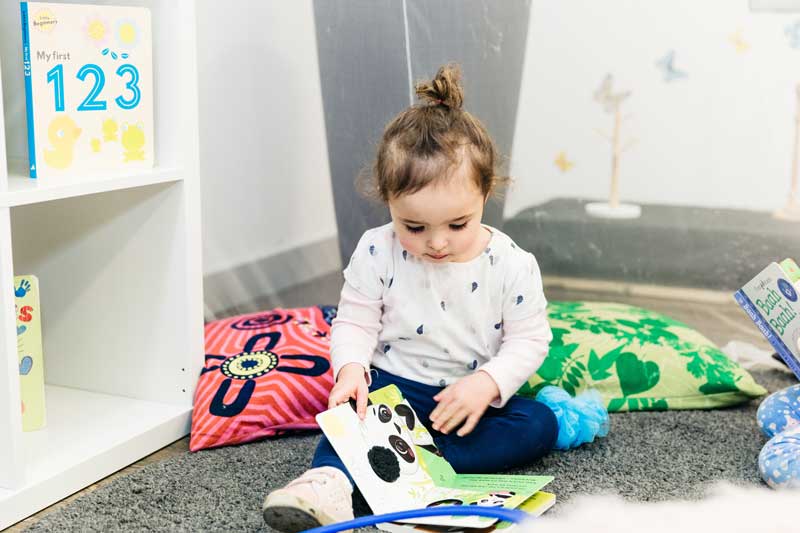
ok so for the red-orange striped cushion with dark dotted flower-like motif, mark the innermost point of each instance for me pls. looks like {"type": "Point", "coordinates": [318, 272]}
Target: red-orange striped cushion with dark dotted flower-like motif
{"type": "Point", "coordinates": [265, 373]}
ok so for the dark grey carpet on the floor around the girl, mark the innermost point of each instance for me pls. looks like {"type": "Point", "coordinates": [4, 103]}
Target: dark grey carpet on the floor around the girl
{"type": "Point", "coordinates": [646, 457]}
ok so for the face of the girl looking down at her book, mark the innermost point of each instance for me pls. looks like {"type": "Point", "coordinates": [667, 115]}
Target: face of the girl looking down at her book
{"type": "Point", "coordinates": [442, 222]}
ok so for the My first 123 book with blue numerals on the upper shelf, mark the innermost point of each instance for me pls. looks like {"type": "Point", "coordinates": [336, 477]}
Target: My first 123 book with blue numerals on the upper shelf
{"type": "Point", "coordinates": [89, 88]}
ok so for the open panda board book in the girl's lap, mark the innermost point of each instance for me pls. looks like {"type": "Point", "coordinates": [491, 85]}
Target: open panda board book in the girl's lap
{"type": "Point", "coordinates": [397, 466]}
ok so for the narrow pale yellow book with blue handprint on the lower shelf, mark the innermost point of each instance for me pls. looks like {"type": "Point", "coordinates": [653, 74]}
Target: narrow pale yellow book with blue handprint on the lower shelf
{"type": "Point", "coordinates": [29, 350]}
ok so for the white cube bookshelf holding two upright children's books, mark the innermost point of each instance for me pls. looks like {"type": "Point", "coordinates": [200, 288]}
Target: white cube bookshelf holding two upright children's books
{"type": "Point", "coordinates": [118, 259]}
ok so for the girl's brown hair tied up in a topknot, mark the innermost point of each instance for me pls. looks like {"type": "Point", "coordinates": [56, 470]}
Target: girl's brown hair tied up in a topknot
{"type": "Point", "coordinates": [425, 142]}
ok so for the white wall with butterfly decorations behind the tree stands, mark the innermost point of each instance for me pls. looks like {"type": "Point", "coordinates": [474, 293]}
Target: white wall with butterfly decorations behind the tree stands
{"type": "Point", "coordinates": [722, 137]}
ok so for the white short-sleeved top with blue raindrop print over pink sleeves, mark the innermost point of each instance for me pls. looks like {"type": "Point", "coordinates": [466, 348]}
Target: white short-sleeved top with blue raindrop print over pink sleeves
{"type": "Point", "coordinates": [484, 274]}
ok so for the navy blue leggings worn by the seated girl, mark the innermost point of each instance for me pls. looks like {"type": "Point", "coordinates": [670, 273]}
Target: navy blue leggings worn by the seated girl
{"type": "Point", "coordinates": [508, 437]}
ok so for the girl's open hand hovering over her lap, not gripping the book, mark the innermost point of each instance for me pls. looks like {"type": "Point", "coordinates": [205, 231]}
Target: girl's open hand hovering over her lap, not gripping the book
{"type": "Point", "coordinates": [466, 399]}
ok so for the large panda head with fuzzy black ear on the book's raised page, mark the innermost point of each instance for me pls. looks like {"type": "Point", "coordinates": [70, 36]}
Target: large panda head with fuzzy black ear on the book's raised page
{"type": "Point", "coordinates": [391, 436]}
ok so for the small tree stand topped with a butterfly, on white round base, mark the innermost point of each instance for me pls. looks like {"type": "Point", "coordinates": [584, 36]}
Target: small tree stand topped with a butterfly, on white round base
{"type": "Point", "coordinates": [612, 103]}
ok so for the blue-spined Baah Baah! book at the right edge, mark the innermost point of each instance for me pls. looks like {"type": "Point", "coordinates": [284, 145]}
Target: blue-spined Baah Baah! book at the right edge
{"type": "Point", "coordinates": [771, 301]}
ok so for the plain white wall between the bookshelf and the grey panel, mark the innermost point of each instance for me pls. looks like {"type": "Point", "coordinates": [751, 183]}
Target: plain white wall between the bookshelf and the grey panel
{"type": "Point", "coordinates": [264, 162]}
